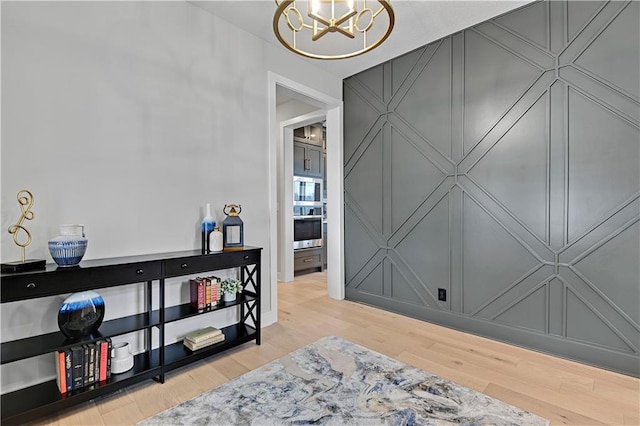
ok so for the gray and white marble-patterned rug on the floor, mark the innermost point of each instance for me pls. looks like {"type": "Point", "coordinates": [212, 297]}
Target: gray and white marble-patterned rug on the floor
{"type": "Point", "coordinates": [336, 382]}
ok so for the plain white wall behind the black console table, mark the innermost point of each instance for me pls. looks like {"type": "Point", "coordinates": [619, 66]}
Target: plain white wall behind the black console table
{"type": "Point", "coordinates": [128, 117]}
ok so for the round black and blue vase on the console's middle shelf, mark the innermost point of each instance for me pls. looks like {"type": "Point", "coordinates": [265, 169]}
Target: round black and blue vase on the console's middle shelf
{"type": "Point", "coordinates": [81, 314]}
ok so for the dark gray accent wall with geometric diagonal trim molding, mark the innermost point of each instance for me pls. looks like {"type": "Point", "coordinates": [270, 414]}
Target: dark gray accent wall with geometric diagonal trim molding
{"type": "Point", "coordinates": [501, 164]}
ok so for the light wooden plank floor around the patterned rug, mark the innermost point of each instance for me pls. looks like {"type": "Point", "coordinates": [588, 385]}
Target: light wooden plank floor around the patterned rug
{"type": "Point", "coordinates": [561, 391]}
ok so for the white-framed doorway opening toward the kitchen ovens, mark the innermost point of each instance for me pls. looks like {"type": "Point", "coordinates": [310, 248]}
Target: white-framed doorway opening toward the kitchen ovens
{"type": "Point", "coordinates": [281, 175]}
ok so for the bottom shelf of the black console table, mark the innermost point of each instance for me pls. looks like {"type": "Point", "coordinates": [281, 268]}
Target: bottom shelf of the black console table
{"type": "Point", "coordinates": [42, 399]}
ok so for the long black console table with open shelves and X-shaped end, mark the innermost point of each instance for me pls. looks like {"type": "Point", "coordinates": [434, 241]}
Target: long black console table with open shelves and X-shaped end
{"type": "Point", "coordinates": [43, 399]}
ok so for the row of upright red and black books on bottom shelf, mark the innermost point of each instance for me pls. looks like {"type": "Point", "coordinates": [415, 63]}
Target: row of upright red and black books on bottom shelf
{"type": "Point", "coordinates": [84, 365]}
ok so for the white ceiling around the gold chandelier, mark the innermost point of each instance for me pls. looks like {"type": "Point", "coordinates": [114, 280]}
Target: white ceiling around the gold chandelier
{"type": "Point", "coordinates": [418, 22]}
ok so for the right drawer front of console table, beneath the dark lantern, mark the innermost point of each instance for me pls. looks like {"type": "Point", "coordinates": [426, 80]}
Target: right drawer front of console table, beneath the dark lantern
{"type": "Point", "coordinates": [198, 264]}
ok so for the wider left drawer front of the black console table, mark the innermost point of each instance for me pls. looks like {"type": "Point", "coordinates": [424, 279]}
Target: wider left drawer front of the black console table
{"type": "Point", "coordinates": [69, 280]}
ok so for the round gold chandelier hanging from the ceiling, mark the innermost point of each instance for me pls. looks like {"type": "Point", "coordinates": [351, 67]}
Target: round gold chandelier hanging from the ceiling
{"type": "Point", "coordinates": [308, 27]}
